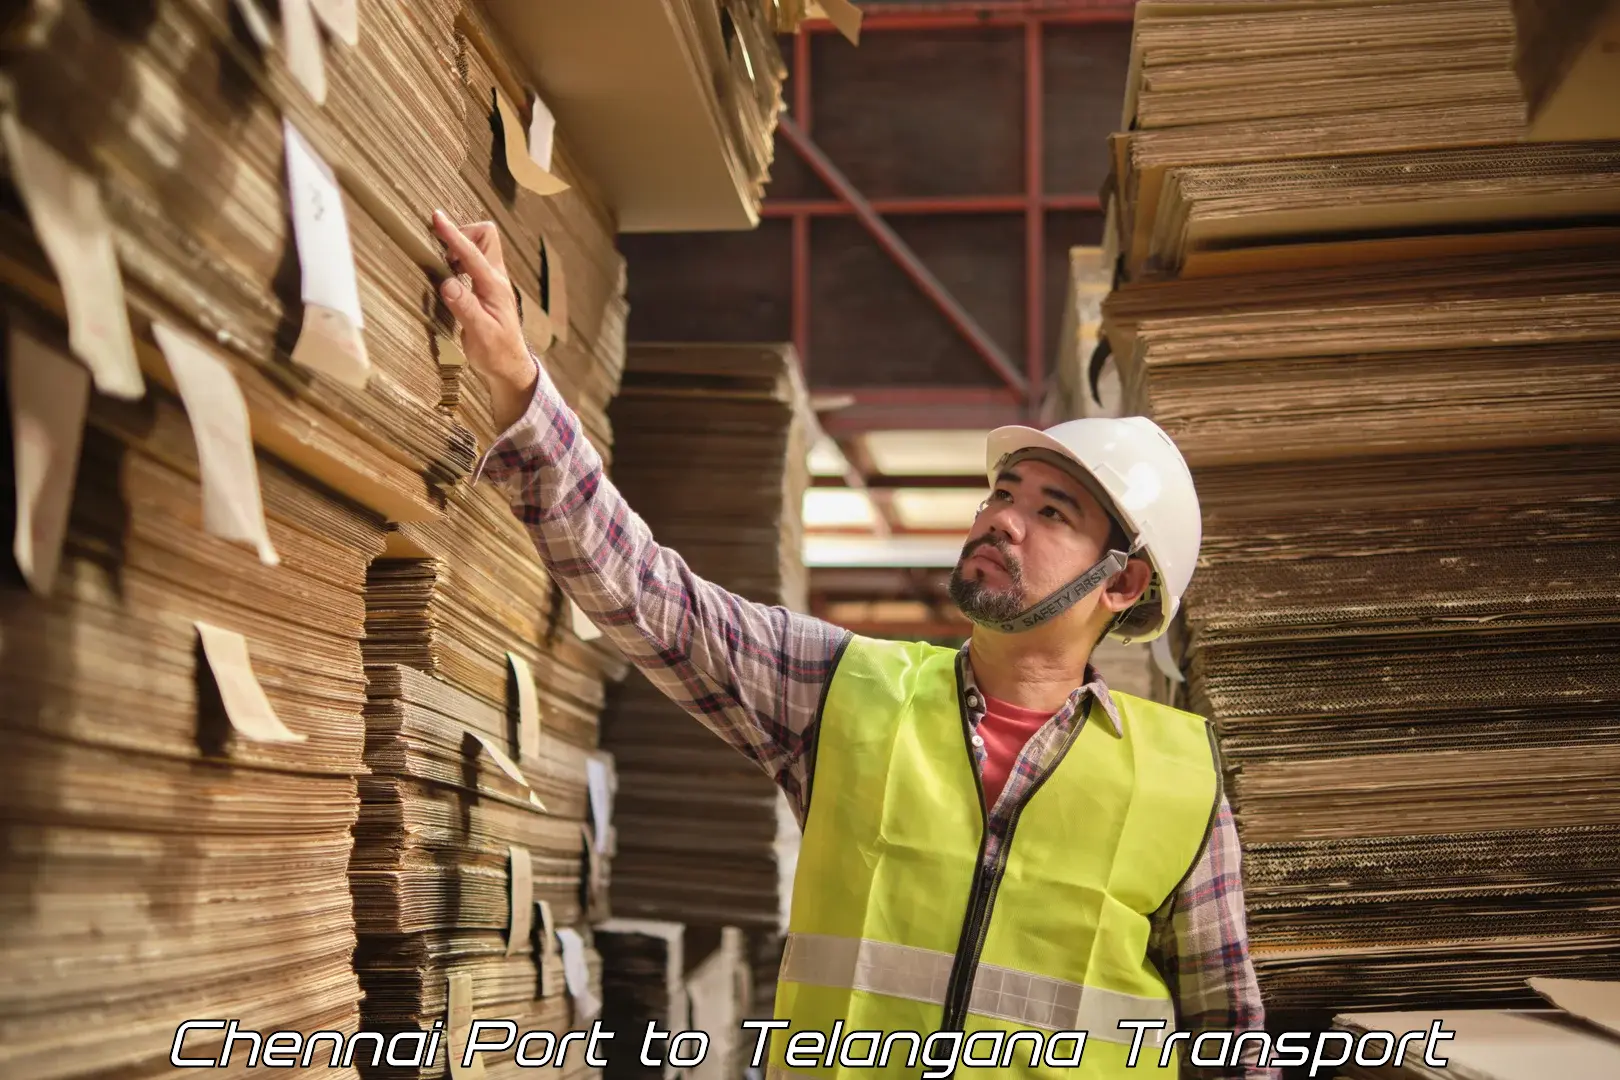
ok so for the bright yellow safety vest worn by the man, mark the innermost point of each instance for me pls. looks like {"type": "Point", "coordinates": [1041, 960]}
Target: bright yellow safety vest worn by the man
{"type": "Point", "coordinates": [898, 927]}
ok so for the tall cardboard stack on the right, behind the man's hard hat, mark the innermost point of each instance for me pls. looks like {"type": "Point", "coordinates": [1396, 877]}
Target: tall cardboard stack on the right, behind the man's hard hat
{"type": "Point", "coordinates": [1378, 325]}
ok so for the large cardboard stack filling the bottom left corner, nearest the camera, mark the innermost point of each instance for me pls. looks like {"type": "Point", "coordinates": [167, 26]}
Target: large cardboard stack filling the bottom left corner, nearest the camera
{"type": "Point", "coordinates": [184, 725]}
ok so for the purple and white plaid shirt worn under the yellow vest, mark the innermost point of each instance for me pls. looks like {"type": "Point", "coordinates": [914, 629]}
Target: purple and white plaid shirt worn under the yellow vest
{"type": "Point", "coordinates": [754, 676]}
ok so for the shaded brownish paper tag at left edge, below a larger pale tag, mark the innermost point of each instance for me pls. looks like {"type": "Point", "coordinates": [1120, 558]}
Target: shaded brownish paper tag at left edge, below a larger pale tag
{"type": "Point", "coordinates": [51, 398]}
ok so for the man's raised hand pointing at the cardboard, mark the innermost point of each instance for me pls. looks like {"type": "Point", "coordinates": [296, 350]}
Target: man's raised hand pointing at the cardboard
{"type": "Point", "coordinates": [492, 330]}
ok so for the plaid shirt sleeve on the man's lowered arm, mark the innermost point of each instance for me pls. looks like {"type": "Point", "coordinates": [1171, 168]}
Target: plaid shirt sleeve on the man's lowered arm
{"type": "Point", "coordinates": [1201, 946]}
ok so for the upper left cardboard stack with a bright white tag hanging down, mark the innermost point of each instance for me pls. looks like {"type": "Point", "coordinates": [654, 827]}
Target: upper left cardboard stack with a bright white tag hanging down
{"type": "Point", "coordinates": [197, 142]}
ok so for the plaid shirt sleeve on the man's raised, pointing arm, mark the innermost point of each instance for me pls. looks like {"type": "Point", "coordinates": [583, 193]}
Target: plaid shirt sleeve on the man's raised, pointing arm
{"type": "Point", "coordinates": [749, 673]}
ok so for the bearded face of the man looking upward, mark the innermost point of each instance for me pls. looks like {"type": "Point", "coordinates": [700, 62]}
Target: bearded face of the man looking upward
{"type": "Point", "coordinates": [1039, 530]}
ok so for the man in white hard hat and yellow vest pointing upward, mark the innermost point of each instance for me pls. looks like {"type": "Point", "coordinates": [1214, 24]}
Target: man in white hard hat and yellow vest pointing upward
{"type": "Point", "coordinates": [992, 841]}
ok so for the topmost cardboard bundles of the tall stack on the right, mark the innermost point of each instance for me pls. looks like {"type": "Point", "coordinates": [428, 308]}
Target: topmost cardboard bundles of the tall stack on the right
{"type": "Point", "coordinates": [1258, 125]}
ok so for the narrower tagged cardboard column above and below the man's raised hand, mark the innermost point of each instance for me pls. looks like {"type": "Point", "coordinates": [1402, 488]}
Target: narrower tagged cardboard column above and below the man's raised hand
{"type": "Point", "coordinates": [485, 833]}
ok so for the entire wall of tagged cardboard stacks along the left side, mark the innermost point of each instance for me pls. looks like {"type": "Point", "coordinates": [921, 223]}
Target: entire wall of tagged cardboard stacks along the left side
{"type": "Point", "coordinates": [187, 695]}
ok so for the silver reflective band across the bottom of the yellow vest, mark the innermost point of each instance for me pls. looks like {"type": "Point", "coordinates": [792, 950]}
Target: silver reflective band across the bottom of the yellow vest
{"type": "Point", "coordinates": [1033, 1001]}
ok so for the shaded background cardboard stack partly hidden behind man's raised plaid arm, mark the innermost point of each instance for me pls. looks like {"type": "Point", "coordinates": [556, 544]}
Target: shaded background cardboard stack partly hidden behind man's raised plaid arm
{"type": "Point", "coordinates": [712, 454]}
